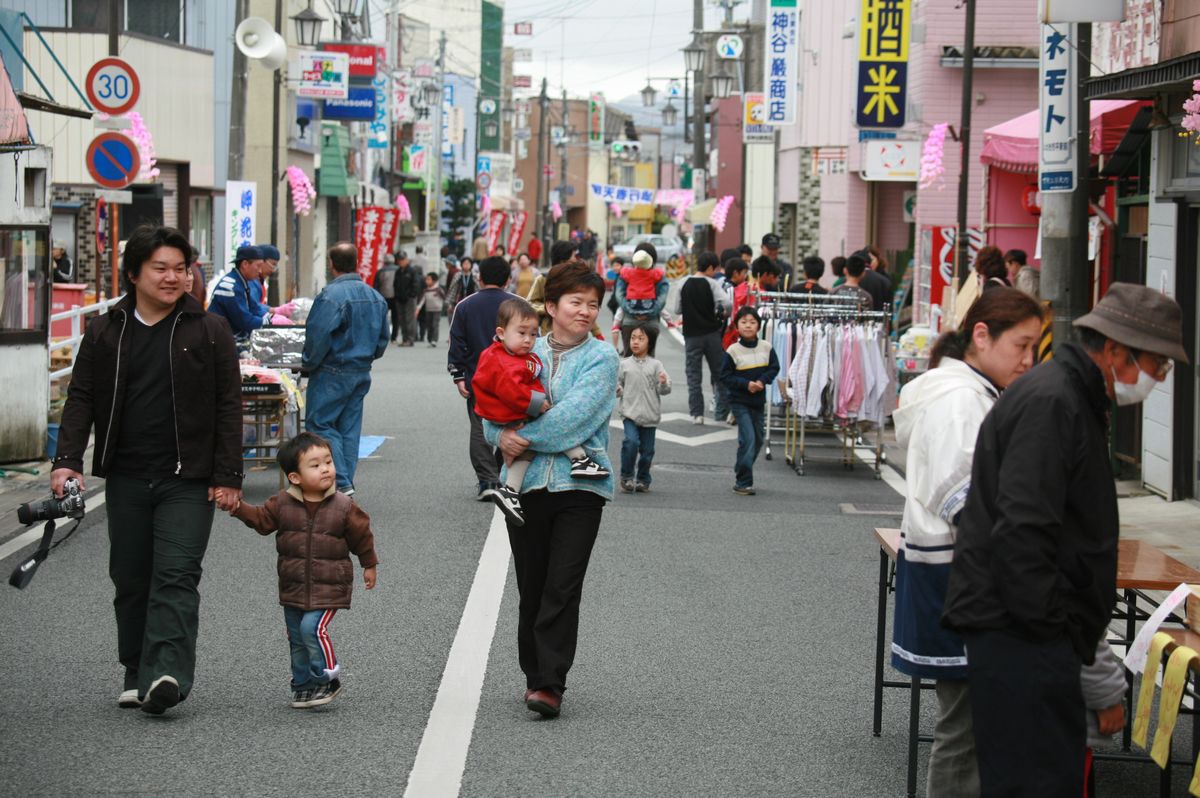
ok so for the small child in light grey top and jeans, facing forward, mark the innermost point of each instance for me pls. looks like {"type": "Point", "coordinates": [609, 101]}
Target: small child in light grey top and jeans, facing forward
{"type": "Point", "coordinates": [641, 385]}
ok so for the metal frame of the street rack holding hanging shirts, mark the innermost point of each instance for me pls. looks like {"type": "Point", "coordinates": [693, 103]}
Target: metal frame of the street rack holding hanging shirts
{"type": "Point", "coordinates": [796, 427]}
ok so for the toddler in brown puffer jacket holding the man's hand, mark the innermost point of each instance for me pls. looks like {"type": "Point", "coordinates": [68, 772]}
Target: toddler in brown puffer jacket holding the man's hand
{"type": "Point", "coordinates": [316, 531]}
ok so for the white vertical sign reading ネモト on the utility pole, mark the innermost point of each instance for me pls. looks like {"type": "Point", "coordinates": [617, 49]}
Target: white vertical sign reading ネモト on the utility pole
{"type": "Point", "coordinates": [1057, 104]}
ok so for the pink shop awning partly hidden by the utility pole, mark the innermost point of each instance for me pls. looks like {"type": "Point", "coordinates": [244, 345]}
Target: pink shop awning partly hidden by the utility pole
{"type": "Point", "coordinates": [1013, 146]}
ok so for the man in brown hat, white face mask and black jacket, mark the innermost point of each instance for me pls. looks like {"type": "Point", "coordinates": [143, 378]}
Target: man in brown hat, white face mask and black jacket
{"type": "Point", "coordinates": [1034, 580]}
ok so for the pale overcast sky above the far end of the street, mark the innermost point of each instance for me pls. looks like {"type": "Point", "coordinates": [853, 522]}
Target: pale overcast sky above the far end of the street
{"type": "Point", "coordinates": [609, 46]}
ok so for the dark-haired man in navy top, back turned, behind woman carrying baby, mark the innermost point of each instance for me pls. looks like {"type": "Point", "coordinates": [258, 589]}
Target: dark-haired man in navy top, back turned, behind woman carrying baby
{"type": "Point", "coordinates": [472, 332]}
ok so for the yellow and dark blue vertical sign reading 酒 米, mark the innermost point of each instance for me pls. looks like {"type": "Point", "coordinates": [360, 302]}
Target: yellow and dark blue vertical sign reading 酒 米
{"type": "Point", "coordinates": [884, 32]}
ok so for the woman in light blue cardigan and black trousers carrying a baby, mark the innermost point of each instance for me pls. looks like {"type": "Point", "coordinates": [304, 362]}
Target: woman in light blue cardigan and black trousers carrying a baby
{"type": "Point", "coordinates": [563, 514]}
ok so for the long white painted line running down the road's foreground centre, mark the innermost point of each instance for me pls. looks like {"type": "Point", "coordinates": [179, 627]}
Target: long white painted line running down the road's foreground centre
{"type": "Point", "coordinates": [441, 760]}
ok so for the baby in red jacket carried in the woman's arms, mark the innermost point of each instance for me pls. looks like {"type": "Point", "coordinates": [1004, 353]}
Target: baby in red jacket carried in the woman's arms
{"type": "Point", "coordinates": [508, 391]}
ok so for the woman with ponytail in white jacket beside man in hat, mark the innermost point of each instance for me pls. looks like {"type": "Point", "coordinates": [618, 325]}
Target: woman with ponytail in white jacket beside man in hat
{"type": "Point", "coordinates": [938, 423]}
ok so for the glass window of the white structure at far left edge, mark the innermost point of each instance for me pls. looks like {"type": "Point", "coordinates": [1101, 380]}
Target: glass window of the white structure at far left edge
{"type": "Point", "coordinates": [25, 263]}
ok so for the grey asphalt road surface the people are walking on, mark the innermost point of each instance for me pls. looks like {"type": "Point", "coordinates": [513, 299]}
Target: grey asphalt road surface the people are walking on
{"type": "Point", "coordinates": [727, 643]}
